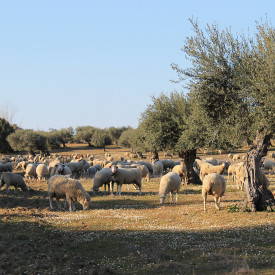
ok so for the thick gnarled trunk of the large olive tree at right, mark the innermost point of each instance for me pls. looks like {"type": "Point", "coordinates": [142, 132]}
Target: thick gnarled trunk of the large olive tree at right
{"type": "Point", "coordinates": [258, 197]}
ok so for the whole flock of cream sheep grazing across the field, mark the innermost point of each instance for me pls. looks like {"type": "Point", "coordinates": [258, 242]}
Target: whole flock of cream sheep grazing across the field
{"type": "Point", "coordinates": [62, 173]}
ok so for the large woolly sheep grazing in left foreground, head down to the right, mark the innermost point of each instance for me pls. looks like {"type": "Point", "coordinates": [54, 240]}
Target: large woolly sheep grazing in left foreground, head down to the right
{"type": "Point", "coordinates": [69, 189]}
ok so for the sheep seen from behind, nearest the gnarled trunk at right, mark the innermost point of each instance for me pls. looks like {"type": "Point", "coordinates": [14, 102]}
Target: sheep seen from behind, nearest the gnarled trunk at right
{"type": "Point", "coordinates": [213, 184]}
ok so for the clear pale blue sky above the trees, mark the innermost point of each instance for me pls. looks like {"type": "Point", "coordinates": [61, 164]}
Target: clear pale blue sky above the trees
{"type": "Point", "coordinates": [67, 63]}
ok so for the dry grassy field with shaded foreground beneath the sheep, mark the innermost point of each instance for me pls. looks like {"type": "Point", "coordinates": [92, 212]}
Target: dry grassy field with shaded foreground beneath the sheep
{"type": "Point", "coordinates": [132, 234]}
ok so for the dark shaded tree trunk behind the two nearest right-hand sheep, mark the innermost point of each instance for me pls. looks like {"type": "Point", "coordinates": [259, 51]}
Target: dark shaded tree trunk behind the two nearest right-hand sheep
{"type": "Point", "coordinates": [189, 157]}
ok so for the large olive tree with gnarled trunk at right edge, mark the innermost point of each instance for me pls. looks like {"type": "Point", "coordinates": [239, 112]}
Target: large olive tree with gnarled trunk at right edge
{"type": "Point", "coordinates": [232, 82]}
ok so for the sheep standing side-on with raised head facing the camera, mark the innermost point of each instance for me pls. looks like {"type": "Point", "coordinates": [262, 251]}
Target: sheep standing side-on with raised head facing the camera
{"type": "Point", "coordinates": [126, 176]}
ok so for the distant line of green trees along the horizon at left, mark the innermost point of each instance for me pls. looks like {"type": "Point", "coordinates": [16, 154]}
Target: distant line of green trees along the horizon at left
{"type": "Point", "coordinates": [13, 138]}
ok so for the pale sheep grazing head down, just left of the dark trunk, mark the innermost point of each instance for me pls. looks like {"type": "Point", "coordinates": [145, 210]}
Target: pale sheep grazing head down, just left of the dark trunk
{"type": "Point", "coordinates": [169, 183]}
